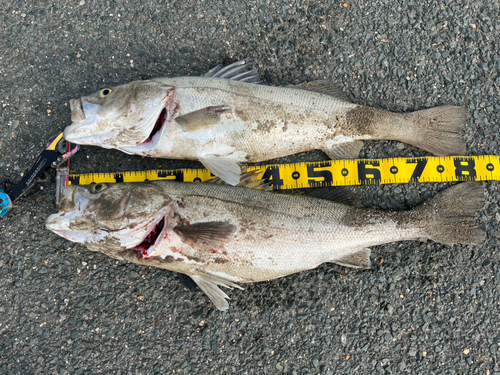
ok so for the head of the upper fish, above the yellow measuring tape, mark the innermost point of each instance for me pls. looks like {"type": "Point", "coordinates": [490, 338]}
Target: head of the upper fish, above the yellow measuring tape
{"type": "Point", "coordinates": [120, 117]}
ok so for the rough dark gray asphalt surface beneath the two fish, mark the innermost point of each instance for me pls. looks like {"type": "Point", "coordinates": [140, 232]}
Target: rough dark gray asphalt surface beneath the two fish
{"type": "Point", "coordinates": [424, 308]}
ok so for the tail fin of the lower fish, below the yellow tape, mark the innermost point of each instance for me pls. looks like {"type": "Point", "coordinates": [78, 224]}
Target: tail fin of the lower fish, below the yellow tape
{"type": "Point", "coordinates": [451, 214]}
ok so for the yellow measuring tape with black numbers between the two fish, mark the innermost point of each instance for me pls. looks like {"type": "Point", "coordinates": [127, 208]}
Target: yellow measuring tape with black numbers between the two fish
{"type": "Point", "coordinates": [331, 173]}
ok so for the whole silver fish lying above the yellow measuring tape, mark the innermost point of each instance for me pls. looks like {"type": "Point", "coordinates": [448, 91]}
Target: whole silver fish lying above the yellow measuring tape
{"type": "Point", "coordinates": [228, 117]}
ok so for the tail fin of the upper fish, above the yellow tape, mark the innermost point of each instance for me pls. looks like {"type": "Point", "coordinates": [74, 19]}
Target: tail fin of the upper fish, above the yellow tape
{"type": "Point", "coordinates": [437, 130]}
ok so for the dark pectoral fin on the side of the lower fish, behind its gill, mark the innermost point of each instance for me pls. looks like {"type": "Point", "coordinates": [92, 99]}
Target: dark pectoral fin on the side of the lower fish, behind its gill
{"type": "Point", "coordinates": [205, 236]}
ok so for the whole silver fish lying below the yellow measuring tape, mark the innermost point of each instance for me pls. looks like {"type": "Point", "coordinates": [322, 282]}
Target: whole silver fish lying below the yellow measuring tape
{"type": "Point", "coordinates": [223, 236]}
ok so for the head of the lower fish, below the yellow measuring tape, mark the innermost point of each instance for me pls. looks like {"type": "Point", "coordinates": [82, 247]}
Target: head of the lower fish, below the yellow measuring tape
{"type": "Point", "coordinates": [113, 218]}
